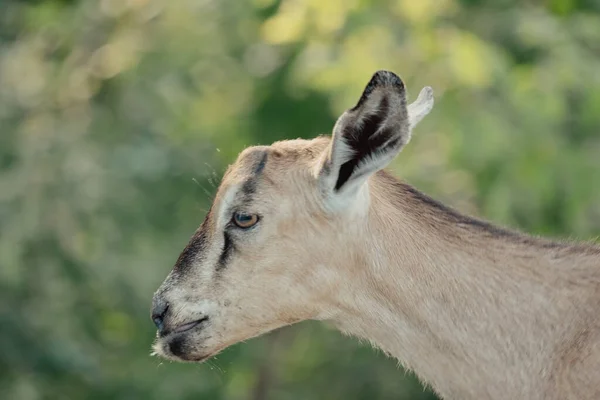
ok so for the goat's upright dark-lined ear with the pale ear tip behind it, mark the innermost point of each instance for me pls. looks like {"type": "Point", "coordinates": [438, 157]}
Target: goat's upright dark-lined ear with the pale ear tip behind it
{"type": "Point", "coordinates": [369, 135]}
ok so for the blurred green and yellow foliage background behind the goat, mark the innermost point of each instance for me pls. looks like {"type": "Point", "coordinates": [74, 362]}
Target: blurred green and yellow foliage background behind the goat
{"type": "Point", "coordinates": [118, 117]}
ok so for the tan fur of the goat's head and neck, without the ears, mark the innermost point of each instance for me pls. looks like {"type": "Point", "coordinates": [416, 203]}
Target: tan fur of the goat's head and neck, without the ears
{"type": "Point", "coordinates": [478, 312]}
